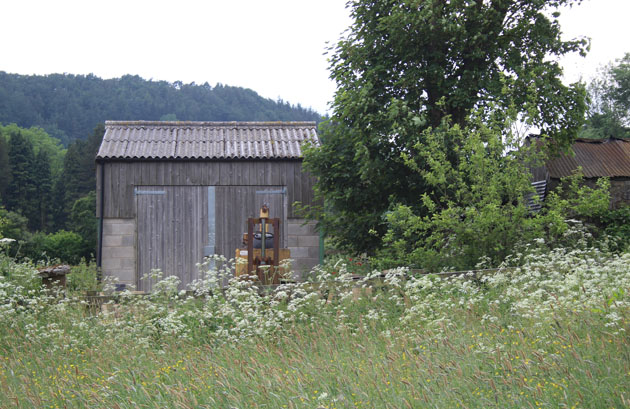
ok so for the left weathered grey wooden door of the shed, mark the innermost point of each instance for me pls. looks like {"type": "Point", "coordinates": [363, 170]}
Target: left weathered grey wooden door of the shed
{"type": "Point", "coordinates": [172, 231]}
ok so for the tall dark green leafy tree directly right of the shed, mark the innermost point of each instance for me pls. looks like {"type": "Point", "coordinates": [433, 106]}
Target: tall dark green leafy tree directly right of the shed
{"type": "Point", "coordinates": [410, 65]}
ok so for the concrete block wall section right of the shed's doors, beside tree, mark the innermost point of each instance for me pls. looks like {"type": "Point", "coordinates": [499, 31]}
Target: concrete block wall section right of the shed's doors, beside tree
{"type": "Point", "coordinates": [303, 242]}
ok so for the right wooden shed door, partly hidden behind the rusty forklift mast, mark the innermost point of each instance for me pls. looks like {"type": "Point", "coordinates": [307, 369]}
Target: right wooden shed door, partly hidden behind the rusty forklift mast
{"type": "Point", "coordinates": [235, 204]}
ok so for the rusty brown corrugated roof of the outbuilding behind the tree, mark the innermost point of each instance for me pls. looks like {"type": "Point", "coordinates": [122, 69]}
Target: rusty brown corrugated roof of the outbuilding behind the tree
{"type": "Point", "coordinates": [597, 157]}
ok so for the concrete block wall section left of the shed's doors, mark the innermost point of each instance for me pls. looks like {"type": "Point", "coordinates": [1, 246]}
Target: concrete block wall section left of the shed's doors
{"type": "Point", "coordinates": [119, 256]}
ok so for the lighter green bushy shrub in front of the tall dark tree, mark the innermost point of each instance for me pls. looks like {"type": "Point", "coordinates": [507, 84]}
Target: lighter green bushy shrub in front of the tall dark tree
{"type": "Point", "coordinates": [475, 206]}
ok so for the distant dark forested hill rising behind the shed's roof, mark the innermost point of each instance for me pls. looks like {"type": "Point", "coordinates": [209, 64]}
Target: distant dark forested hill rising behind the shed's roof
{"type": "Point", "coordinates": [68, 106]}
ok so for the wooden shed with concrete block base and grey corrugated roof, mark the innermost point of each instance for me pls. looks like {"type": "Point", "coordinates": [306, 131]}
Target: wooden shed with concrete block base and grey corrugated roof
{"type": "Point", "coordinates": [171, 193]}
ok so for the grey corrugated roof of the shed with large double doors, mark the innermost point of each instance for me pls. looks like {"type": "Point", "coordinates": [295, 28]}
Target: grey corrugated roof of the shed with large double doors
{"type": "Point", "coordinates": [206, 140]}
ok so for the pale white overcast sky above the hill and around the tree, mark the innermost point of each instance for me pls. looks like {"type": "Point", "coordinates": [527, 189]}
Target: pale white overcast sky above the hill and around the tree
{"type": "Point", "coordinates": [274, 47]}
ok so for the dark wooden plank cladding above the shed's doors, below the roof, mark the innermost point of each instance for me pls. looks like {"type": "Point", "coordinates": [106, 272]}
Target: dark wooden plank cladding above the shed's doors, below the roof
{"type": "Point", "coordinates": [122, 177]}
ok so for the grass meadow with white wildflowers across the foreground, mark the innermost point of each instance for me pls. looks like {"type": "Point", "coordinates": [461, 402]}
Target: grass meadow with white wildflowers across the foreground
{"type": "Point", "coordinates": [550, 334]}
